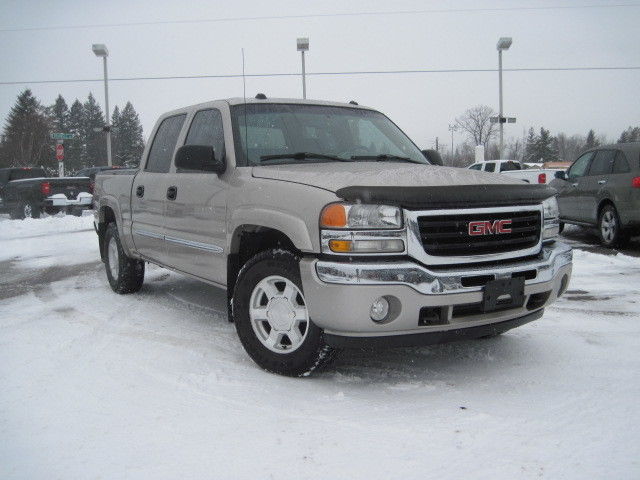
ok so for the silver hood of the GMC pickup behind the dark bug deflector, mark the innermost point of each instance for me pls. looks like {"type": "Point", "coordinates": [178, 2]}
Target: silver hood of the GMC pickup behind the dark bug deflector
{"type": "Point", "coordinates": [334, 176]}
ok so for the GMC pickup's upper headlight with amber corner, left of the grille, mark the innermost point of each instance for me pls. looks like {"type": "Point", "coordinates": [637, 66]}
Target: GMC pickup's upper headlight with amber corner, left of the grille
{"type": "Point", "coordinates": [341, 215]}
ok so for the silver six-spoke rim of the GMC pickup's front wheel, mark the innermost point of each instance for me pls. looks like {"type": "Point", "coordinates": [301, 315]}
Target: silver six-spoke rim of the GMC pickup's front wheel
{"type": "Point", "coordinates": [278, 314]}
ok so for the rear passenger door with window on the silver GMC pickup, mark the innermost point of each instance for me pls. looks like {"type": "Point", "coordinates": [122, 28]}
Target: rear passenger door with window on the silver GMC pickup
{"type": "Point", "coordinates": [149, 192]}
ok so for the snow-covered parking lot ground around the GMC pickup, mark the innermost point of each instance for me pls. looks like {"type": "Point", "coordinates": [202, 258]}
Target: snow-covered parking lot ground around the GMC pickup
{"type": "Point", "coordinates": [156, 385]}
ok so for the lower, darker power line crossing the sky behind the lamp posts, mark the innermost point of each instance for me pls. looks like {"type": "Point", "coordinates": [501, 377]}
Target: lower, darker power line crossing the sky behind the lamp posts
{"type": "Point", "coordinates": [351, 73]}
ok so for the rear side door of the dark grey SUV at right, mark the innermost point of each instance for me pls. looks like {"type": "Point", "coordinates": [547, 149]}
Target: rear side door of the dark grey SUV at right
{"type": "Point", "coordinates": [593, 186]}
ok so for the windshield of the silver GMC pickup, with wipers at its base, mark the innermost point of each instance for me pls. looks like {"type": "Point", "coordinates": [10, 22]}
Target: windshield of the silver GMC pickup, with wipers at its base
{"type": "Point", "coordinates": [305, 133]}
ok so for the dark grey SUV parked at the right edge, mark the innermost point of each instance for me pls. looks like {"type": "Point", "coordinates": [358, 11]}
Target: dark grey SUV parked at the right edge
{"type": "Point", "coordinates": [602, 189]}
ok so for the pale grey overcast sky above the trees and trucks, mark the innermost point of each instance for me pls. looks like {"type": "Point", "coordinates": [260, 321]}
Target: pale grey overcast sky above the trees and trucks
{"type": "Point", "coordinates": [423, 104]}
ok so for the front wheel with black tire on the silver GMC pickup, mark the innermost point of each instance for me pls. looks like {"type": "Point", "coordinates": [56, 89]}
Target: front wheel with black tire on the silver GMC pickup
{"type": "Point", "coordinates": [271, 317]}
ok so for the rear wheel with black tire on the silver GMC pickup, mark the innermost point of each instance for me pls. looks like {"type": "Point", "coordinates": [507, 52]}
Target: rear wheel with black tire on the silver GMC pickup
{"type": "Point", "coordinates": [125, 274]}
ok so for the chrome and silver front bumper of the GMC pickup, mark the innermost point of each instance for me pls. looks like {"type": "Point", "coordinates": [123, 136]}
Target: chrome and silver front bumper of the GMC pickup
{"type": "Point", "coordinates": [339, 295]}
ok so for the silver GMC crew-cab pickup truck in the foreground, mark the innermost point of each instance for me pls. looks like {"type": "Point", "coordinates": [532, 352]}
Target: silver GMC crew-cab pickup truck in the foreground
{"type": "Point", "coordinates": [329, 228]}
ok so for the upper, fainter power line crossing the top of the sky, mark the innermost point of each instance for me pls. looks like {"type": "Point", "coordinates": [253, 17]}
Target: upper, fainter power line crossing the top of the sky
{"type": "Point", "coordinates": [318, 15]}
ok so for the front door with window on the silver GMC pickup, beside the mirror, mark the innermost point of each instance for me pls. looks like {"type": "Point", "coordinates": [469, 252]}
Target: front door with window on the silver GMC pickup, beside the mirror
{"type": "Point", "coordinates": [195, 226]}
